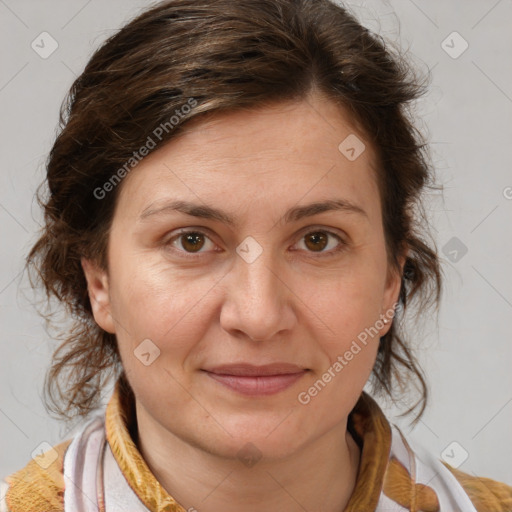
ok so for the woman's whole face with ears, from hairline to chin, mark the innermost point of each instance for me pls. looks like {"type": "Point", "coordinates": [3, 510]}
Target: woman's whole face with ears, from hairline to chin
{"type": "Point", "coordinates": [262, 281]}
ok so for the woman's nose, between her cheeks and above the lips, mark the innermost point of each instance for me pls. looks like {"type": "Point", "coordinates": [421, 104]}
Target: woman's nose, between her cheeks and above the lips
{"type": "Point", "coordinates": [259, 302]}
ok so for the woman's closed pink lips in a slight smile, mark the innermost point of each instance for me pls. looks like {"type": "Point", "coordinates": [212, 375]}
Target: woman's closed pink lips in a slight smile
{"type": "Point", "coordinates": [251, 380]}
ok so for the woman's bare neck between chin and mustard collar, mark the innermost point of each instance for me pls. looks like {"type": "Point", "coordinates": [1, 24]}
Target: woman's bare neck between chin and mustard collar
{"type": "Point", "coordinates": [320, 476]}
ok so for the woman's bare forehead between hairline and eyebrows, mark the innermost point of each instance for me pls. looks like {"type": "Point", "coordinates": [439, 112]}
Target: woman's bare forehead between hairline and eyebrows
{"type": "Point", "coordinates": [259, 159]}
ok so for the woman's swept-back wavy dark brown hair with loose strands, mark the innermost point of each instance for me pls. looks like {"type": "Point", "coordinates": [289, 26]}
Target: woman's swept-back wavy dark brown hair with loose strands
{"type": "Point", "coordinates": [226, 55]}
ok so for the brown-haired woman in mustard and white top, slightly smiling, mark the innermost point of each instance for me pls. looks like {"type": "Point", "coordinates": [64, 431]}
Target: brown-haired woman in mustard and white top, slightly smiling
{"type": "Point", "coordinates": [232, 222]}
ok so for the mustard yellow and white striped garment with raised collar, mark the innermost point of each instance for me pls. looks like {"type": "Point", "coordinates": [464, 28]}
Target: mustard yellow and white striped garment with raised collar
{"type": "Point", "coordinates": [101, 469]}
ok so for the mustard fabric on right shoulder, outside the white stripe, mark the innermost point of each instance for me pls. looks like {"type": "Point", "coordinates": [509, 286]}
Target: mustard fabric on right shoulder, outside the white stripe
{"type": "Point", "coordinates": [487, 495]}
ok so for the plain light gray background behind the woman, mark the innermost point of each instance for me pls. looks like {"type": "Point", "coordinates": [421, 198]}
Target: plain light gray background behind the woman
{"type": "Point", "coordinates": [467, 117]}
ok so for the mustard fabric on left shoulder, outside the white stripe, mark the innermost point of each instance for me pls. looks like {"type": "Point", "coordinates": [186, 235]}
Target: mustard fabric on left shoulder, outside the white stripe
{"type": "Point", "coordinates": [37, 486]}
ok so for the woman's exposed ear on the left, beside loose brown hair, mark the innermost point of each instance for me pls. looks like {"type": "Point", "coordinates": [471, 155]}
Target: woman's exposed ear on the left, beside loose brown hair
{"type": "Point", "coordinates": [98, 289]}
